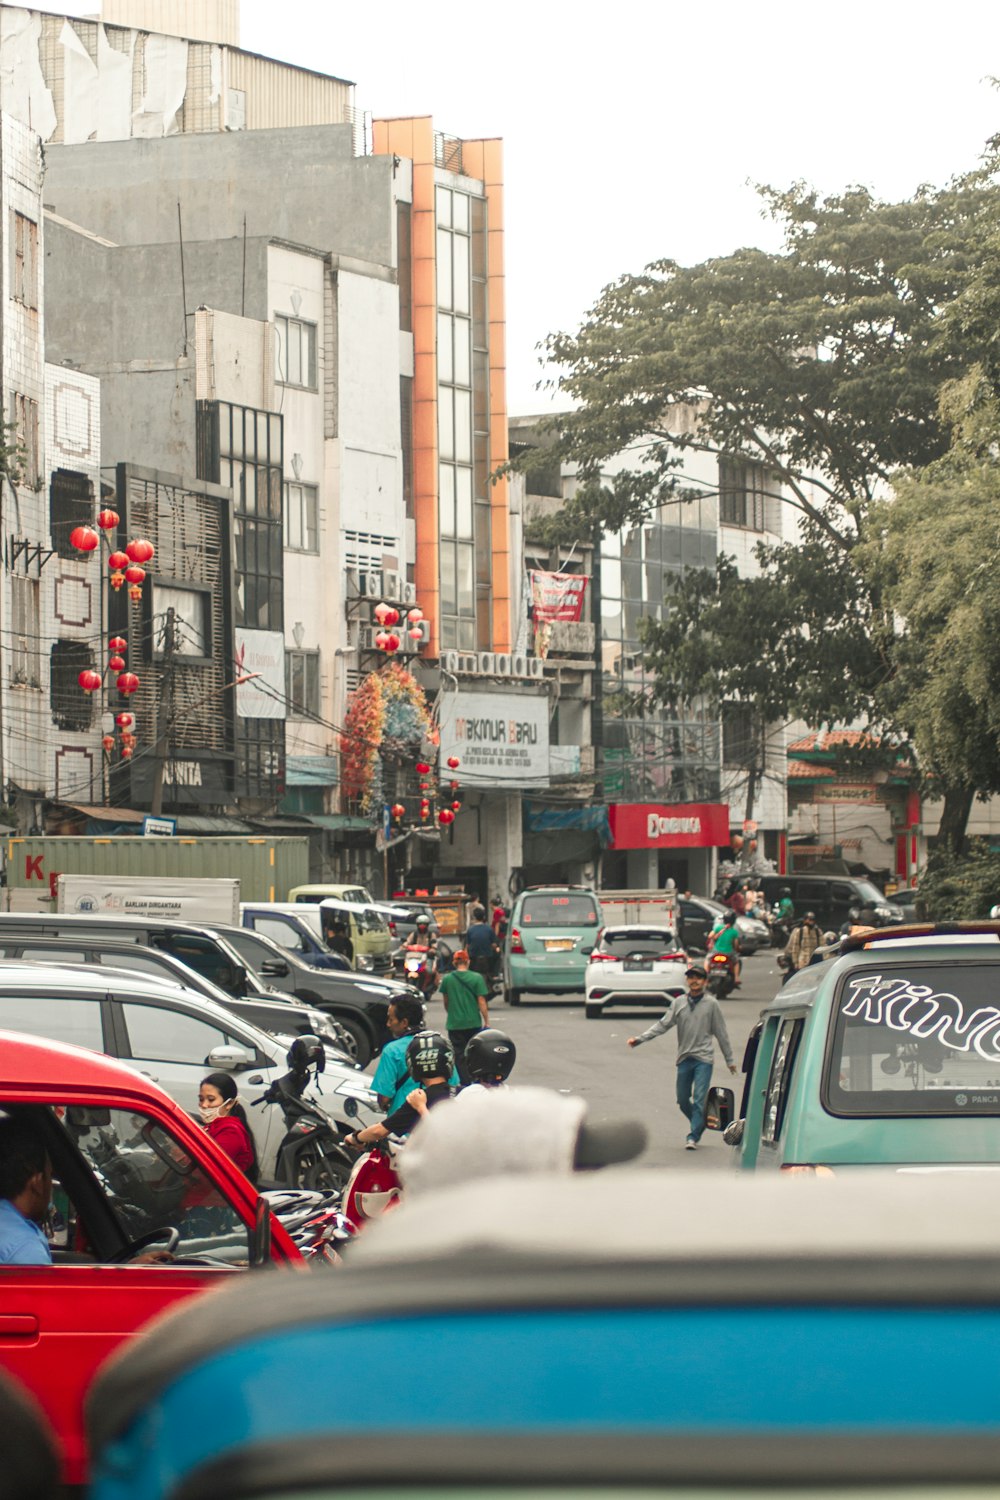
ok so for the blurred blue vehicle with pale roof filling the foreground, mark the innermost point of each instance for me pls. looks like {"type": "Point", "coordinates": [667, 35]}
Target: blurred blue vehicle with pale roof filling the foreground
{"type": "Point", "coordinates": [660, 1334]}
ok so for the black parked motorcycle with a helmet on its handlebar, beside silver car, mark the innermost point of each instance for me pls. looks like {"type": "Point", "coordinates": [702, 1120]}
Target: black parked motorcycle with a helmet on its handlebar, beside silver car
{"type": "Point", "coordinates": [311, 1154]}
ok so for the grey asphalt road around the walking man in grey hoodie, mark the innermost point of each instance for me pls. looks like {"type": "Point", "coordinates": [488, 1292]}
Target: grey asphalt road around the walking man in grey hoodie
{"type": "Point", "coordinates": [560, 1049]}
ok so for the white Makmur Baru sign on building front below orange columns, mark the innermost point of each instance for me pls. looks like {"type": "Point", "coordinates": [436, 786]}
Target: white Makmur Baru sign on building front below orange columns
{"type": "Point", "coordinates": [500, 739]}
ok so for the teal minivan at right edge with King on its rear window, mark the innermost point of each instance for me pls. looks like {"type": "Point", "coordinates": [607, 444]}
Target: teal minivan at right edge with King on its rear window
{"type": "Point", "coordinates": [888, 1055]}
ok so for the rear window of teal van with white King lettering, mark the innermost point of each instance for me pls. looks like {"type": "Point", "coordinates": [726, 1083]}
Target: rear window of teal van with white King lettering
{"type": "Point", "coordinates": [917, 1039]}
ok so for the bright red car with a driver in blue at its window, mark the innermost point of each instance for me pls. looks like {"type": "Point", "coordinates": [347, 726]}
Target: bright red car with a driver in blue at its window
{"type": "Point", "coordinates": [133, 1174]}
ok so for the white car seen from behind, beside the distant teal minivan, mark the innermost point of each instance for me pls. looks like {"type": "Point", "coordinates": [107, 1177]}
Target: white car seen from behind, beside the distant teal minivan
{"type": "Point", "coordinates": [636, 965]}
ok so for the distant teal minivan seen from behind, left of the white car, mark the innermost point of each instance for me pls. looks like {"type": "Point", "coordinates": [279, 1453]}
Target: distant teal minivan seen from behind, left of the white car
{"type": "Point", "coordinates": [549, 941]}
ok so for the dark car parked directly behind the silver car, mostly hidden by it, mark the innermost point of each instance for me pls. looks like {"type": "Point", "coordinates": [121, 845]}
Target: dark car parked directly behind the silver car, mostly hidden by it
{"type": "Point", "coordinates": [281, 1018]}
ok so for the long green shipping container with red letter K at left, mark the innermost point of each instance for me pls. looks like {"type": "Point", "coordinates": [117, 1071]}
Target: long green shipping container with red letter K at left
{"type": "Point", "coordinates": [266, 869]}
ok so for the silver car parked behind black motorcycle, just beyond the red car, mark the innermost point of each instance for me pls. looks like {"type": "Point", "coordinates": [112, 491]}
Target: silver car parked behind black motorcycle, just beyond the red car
{"type": "Point", "coordinates": [175, 1039]}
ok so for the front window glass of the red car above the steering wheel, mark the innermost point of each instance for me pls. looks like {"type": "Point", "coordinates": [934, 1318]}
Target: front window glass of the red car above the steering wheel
{"type": "Point", "coordinates": [152, 1183]}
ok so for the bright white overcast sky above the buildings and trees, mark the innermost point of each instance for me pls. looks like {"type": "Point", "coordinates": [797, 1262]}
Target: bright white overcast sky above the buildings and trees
{"type": "Point", "coordinates": [633, 131]}
